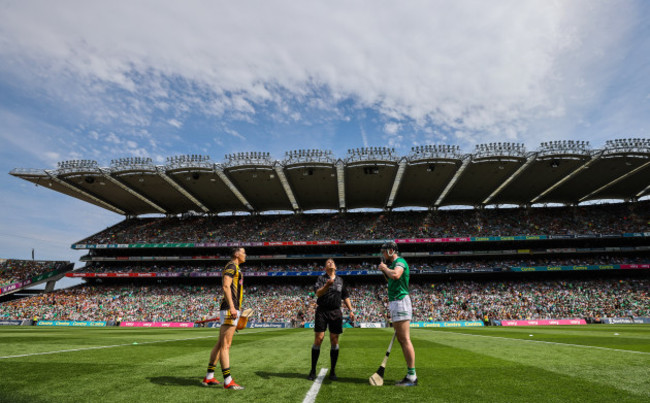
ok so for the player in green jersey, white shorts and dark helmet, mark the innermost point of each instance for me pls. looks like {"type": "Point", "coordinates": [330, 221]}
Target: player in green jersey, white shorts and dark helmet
{"type": "Point", "coordinates": [396, 271]}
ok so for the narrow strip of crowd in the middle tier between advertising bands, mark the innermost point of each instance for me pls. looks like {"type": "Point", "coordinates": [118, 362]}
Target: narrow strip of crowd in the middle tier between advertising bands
{"type": "Point", "coordinates": [415, 263]}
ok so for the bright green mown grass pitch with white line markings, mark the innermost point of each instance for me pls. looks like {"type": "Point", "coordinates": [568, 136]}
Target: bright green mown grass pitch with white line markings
{"type": "Point", "coordinates": [599, 363]}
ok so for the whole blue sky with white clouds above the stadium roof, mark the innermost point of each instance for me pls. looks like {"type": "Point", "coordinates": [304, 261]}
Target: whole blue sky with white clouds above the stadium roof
{"type": "Point", "coordinates": [103, 80]}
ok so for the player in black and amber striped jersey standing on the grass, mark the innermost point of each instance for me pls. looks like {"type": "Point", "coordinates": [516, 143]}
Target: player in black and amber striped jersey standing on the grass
{"type": "Point", "coordinates": [233, 293]}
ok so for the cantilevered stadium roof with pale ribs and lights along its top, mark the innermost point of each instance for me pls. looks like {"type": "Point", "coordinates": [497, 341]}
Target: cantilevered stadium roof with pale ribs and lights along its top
{"type": "Point", "coordinates": [568, 172]}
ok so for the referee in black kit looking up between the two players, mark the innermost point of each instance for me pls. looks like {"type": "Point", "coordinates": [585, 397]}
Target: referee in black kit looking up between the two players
{"type": "Point", "coordinates": [330, 291]}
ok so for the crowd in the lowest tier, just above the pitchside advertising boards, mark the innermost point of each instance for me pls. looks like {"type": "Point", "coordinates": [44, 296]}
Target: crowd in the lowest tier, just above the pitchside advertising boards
{"type": "Point", "coordinates": [438, 301]}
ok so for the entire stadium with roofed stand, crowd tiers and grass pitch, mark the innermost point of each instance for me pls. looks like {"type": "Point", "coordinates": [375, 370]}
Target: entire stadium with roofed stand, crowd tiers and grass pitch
{"type": "Point", "coordinates": [530, 274]}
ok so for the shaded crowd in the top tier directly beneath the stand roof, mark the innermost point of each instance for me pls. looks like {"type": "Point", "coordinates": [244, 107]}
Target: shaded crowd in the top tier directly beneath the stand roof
{"type": "Point", "coordinates": [585, 220]}
